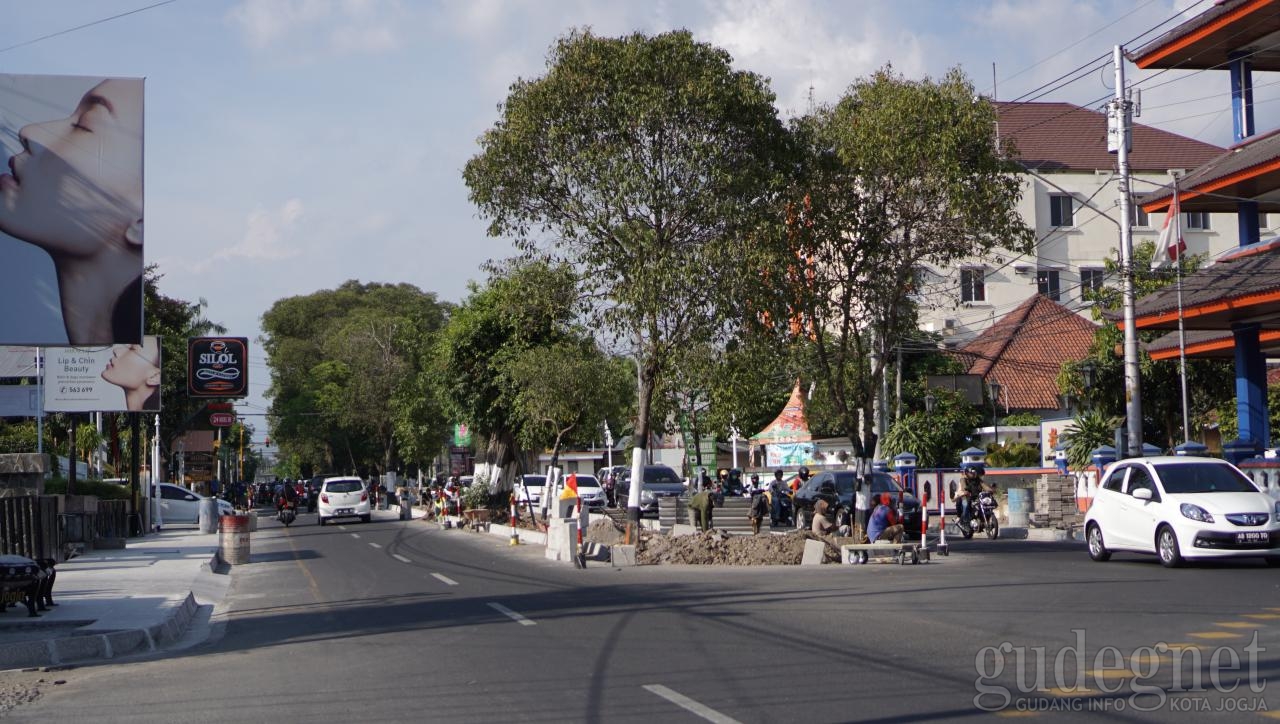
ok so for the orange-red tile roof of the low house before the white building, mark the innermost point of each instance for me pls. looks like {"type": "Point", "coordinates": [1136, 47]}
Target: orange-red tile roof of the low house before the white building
{"type": "Point", "coordinates": [1026, 349]}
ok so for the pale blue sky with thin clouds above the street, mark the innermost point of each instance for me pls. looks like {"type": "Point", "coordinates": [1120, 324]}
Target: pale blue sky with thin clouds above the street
{"type": "Point", "coordinates": [296, 144]}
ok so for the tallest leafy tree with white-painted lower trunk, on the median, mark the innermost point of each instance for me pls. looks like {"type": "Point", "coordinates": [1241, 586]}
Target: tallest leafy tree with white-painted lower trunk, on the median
{"type": "Point", "coordinates": [644, 163]}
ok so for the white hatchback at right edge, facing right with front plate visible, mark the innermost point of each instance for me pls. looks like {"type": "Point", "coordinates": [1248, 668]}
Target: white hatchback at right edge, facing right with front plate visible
{"type": "Point", "coordinates": [1182, 508]}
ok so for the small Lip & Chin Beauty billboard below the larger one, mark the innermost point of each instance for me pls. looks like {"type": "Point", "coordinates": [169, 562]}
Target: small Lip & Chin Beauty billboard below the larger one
{"type": "Point", "coordinates": [122, 378]}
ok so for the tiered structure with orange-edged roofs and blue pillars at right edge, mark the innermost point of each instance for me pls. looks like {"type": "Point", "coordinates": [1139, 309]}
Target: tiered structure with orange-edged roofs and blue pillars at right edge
{"type": "Point", "coordinates": [1237, 299]}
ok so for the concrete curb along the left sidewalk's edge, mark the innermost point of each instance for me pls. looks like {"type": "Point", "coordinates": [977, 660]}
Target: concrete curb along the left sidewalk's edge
{"type": "Point", "coordinates": [92, 645]}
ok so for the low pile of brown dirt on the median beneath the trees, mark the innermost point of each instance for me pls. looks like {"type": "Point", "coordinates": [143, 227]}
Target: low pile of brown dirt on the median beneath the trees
{"type": "Point", "coordinates": [717, 548]}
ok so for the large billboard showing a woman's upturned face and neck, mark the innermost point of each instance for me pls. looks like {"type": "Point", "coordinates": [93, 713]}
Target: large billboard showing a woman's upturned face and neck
{"type": "Point", "coordinates": [71, 210]}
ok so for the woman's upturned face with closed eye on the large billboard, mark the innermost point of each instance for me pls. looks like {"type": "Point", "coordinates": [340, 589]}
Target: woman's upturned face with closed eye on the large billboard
{"type": "Point", "coordinates": [79, 181]}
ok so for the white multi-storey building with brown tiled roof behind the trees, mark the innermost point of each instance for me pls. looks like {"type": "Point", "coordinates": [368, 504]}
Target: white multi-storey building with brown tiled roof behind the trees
{"type": "Point", "coordinates": [1072, 201]}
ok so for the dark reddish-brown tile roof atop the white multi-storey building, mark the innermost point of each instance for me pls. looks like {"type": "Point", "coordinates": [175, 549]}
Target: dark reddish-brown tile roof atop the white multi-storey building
{"type": "Point", "coordinates": [1069, 138]}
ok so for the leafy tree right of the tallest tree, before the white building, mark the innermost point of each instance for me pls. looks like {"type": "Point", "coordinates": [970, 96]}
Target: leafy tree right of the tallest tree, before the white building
{"type": "Point", "coordinates": [895, 176]}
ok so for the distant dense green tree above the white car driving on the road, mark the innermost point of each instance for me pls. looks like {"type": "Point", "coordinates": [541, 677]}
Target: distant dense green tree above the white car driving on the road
{"type": "Point", "coordinates": [342, 361]}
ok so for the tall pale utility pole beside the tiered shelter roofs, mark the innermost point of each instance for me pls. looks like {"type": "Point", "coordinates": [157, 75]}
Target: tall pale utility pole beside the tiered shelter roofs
{"type": "Point", "coordinates": [1119, 132]}
